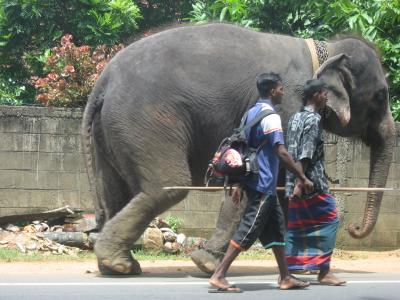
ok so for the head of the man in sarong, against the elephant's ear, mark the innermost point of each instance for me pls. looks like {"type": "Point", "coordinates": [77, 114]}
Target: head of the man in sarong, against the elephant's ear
{"type": "Point", "coordinates": [315, 93]}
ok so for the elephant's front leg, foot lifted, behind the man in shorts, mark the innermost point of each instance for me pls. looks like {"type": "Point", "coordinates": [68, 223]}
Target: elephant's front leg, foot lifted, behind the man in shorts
{"type": "Point", "coordinates": [229, 217]}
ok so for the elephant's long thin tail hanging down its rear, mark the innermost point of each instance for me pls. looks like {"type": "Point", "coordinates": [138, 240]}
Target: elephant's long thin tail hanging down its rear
{"type": "Point", "coordinates": [93, 106]}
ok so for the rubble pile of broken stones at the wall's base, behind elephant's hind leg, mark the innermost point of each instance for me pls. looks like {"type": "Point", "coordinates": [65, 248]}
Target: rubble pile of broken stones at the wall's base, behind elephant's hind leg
{"type": "Point", "coordinates": [64, 231]}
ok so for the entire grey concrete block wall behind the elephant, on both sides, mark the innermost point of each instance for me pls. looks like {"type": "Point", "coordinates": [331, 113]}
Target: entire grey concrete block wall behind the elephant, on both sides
{"type": "Point", "coordinates": [41, 168]}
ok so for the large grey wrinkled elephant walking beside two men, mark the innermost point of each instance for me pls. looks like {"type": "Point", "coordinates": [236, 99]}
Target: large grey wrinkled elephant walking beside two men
{"type": "Point", "coordinates": [162, 105]}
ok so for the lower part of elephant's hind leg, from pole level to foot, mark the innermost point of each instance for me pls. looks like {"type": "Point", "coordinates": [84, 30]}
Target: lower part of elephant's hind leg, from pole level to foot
{"type": "Point", "coordinates": [113, 248]}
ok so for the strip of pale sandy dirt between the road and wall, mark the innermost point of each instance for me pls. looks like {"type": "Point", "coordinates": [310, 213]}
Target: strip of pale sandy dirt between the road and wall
{"type": "Point", "coordinates": [348, 262]}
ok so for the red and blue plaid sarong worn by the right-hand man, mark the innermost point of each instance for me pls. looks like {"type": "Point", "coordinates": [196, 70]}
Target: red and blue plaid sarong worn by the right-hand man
{"type": "Point", "coordinates": [311, 233]}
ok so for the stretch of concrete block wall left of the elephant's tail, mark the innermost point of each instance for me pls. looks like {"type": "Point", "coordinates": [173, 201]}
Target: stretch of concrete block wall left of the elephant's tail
{"type": "Point", "coordinates": [40, 162]}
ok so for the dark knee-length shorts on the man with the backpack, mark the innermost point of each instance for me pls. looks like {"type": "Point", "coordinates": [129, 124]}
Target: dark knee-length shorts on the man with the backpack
{"type": "Point", "coordinates": [262, 219]}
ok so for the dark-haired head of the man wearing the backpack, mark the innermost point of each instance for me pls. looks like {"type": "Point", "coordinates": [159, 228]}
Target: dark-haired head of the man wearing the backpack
{"type": "Point", "coordinates": [270, 86]}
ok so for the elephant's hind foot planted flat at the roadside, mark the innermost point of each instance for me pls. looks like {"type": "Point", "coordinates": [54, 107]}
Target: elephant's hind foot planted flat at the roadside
{"type": "Point", "coordinates": [117, 262]}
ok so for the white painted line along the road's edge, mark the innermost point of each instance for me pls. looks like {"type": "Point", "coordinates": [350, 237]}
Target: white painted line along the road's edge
{"type": "Point", "coordinates": [162, 283]}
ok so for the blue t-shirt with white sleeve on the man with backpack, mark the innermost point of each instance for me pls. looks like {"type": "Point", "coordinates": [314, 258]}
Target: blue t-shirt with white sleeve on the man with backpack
{"type": "Point", "coordinates": [269, 130]}
